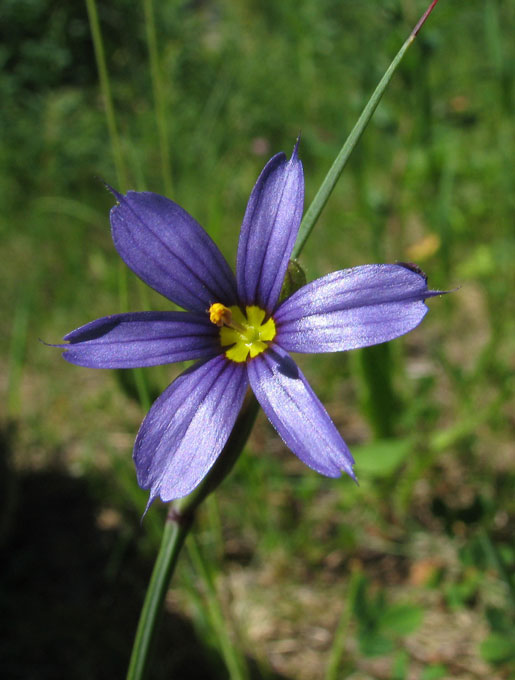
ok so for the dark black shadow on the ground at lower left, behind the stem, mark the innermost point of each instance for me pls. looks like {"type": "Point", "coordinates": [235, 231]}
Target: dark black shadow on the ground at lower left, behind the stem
{"type": "Point", "coordinates": [65, 612]}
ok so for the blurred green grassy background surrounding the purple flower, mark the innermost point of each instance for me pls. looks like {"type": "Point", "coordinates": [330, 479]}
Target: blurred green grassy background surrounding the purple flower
{"type": "Point", "coordinates": [409, 575]}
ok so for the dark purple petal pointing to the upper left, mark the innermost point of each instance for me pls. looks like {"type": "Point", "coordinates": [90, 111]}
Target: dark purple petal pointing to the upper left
{"type": "Point", "coordinates": [170, 251]}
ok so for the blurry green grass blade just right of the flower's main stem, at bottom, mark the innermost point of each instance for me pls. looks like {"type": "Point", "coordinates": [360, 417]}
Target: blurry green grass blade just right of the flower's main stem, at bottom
{"type": "Point", "coordinates": [234, 659]}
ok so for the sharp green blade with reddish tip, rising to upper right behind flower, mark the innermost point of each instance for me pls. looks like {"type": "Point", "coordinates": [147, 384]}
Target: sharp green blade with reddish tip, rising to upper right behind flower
{"type": "Point", "coordinates": [317, 205]}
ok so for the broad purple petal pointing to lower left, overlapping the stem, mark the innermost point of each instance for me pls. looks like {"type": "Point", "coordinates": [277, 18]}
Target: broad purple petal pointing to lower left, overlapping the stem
{"type": "Point", "coordinates": [187, 428]}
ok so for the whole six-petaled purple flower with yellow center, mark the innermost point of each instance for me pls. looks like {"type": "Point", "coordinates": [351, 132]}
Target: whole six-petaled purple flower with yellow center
{"type": "Point", "coordinates": [238, 329]}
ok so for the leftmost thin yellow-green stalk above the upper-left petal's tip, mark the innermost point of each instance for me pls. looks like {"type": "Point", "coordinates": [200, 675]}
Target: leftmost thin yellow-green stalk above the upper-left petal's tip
{"type": "Point", "coordinates": [159, 98]}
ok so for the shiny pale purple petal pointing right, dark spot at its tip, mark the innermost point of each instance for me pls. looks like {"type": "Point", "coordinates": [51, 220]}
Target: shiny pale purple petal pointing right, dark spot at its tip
{"type": "Point", "coordinates": [353, 308]}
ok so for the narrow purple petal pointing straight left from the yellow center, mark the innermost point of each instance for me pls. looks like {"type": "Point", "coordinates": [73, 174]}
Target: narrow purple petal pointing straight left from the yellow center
{"type": "Point", "coordinates": [142, 339]}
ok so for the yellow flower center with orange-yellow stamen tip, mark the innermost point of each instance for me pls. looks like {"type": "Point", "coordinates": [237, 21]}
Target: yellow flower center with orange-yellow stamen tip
{"type": "Point", "coordinates": [244, 334]}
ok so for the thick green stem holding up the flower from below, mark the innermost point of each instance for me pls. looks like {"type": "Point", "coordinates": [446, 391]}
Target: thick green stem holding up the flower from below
{"type": "Point", "coordinates": [178, 523]}
